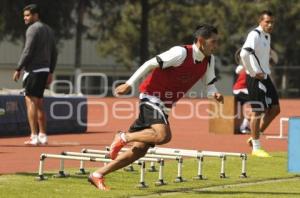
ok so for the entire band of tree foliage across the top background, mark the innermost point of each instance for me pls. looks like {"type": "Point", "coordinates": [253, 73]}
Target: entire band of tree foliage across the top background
{"type": "Point", "coordinates": [117, 25]}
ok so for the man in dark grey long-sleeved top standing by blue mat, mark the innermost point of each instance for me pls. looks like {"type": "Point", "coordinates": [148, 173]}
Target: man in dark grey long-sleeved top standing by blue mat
{"type": "Point", "coordinates": [38, 60]}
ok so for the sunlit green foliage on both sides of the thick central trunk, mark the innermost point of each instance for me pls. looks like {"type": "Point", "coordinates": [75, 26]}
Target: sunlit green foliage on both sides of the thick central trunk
{"type": "Point", "coordinates": [172, 23]}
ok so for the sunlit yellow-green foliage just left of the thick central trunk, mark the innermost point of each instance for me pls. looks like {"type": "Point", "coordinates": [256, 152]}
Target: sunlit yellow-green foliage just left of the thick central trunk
{"type": "Point", "coordinates": [119, 33]}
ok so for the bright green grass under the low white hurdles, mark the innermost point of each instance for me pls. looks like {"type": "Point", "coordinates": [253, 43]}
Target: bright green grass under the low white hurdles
{"type": "Point", "coordinates": [268, 177]}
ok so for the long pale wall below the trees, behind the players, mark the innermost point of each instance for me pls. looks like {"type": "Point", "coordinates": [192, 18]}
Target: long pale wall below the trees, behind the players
{"type": "Point", "coordinates": [92, 62]}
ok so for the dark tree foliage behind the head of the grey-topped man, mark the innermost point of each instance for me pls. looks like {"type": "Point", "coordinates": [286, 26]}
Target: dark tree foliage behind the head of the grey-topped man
{"type": "Point", "coordinates": [55, 13]}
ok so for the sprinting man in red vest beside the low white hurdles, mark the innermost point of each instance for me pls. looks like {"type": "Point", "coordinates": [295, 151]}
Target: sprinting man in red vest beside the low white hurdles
{"type": "Point", "coordinates": [174, 72]}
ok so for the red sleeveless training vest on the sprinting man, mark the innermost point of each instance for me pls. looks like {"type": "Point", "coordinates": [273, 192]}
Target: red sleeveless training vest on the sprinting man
{"type": "Point", "coordinates": [171, 83]}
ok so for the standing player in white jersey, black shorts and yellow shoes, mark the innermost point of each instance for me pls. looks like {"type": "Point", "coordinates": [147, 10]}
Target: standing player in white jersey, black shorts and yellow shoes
{"type": "Point", "coordinates": [255, 56]}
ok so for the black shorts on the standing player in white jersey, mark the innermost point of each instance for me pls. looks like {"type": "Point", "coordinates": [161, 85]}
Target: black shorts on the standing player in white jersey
{"type": "Point", "coordinates": [262, 93]}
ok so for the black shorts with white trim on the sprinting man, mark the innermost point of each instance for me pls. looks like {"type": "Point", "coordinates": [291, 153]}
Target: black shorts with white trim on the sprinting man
{"type": "Point", "coordinates": [150, 113]}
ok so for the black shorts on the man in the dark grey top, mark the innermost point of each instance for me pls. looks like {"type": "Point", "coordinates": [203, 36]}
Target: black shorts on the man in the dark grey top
{"type": "Point", "coordinates": [35, 84]}
